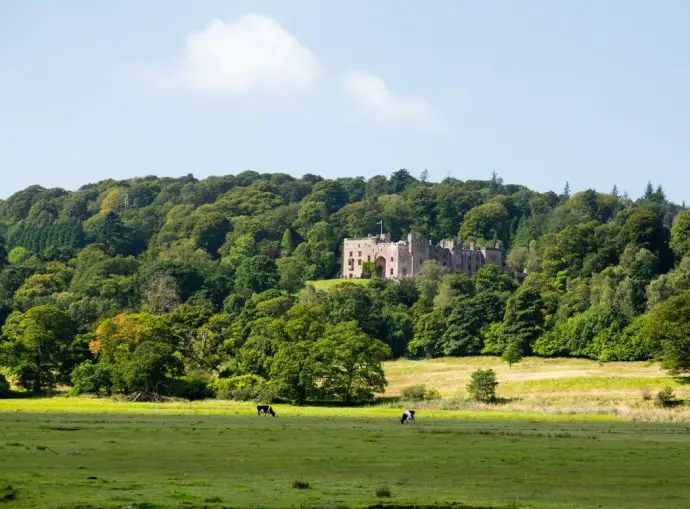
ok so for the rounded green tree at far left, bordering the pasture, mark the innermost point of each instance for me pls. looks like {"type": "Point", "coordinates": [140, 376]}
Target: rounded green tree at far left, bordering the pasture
{"type": "Point", "coordinates": [37, 349]}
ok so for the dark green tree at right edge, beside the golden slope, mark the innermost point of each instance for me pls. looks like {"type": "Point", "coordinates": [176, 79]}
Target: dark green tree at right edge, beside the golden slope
{"type": "Point", "coordinates": [668, 327]}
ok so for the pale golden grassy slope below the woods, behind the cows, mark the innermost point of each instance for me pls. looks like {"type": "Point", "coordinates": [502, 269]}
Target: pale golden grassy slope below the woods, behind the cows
{"type": "Point", "coordinates": [548, 385]}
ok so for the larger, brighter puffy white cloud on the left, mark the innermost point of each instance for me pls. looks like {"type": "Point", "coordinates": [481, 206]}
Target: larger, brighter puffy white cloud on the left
{"type": "Point", "coordinates": [251, 53]}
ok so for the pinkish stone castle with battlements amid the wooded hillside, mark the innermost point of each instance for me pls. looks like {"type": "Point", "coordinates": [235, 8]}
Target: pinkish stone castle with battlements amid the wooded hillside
{"type": "Point", "coordinates": [403, 259]}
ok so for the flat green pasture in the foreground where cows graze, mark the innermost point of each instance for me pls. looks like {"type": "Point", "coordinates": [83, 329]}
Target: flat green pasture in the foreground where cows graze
{"type": "Point", "coordinates": [145, 455]}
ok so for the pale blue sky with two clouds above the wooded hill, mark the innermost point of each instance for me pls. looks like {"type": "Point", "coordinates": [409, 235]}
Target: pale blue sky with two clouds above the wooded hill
{"type": "Point", "coordinates": [594, 93]}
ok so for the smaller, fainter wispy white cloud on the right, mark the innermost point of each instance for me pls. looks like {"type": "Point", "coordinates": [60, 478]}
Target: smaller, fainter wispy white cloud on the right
{"type": "Point", "coordinates": [374, 99]}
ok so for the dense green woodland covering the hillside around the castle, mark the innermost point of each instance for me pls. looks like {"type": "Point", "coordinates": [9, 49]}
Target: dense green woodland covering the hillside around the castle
{"type": "Point", "coordinates": [198, 288]}
